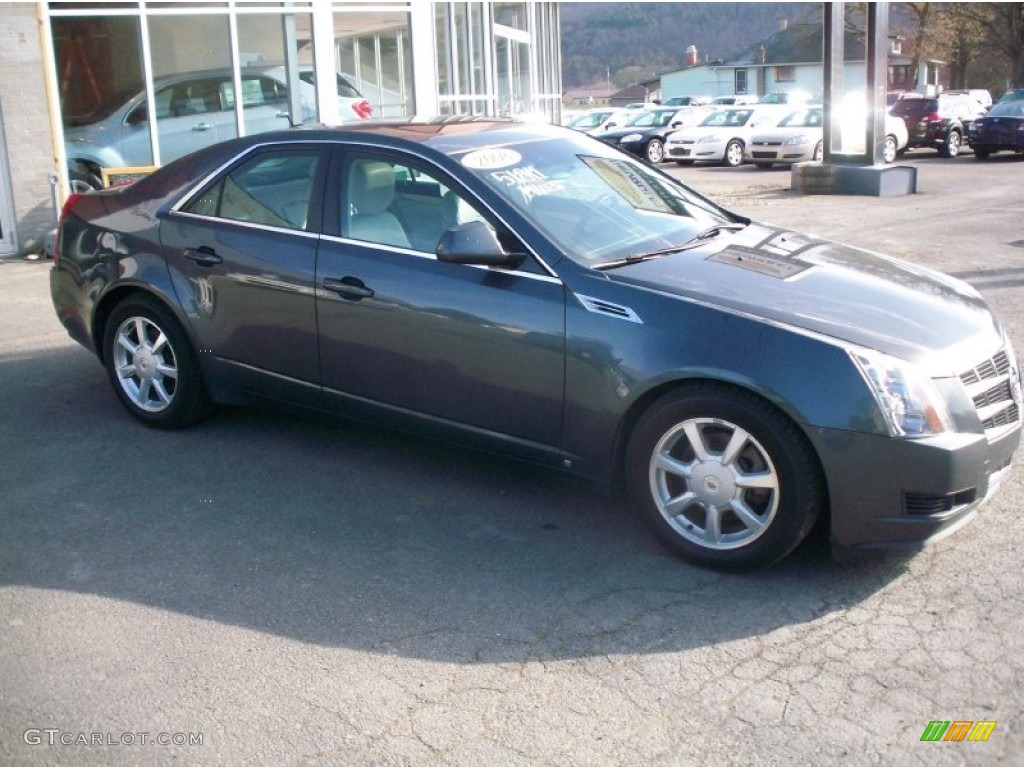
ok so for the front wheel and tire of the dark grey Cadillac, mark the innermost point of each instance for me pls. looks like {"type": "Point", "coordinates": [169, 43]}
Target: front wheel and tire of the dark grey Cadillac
{"type": "Point", "coordinates": [748, 503]}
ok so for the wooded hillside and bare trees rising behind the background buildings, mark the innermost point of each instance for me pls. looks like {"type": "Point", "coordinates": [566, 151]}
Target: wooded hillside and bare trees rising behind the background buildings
{"type": "Point", "coordinates": [632, 42]}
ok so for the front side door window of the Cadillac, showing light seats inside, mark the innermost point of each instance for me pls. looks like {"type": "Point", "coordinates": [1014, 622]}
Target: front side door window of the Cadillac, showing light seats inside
{"type": "Point", "coordinates": [404, 206]}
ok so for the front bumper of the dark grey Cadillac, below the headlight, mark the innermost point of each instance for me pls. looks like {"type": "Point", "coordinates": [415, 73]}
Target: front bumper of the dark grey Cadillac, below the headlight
{"type": "Point", "coordinates": [891, 493]}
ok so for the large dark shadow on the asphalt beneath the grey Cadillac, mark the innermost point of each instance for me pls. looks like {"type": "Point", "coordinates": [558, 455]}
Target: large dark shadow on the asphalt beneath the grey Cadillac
{"type": "Point", "coordinates": [342, 535]}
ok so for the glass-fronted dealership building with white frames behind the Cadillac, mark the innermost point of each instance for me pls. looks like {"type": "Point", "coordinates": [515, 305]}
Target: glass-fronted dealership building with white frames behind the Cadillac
{"type": "Point", "coordinates": [79, 81]}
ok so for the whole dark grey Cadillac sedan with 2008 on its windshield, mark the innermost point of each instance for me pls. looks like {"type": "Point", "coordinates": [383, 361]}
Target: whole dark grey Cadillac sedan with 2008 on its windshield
{"type": "Point", "coordinates": [532, 291]}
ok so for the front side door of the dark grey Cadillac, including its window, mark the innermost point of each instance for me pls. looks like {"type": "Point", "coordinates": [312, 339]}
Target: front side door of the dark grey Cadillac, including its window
{"type": "Point", "coordinates": [461, 346]}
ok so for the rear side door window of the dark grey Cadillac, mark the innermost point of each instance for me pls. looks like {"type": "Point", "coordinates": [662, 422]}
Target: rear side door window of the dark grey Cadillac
{"type": "Point", "coordinates": [273, 189]}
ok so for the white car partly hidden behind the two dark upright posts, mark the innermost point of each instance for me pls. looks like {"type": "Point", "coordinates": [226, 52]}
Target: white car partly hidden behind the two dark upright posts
{"type": "Point", "coordinates": [799, 138]}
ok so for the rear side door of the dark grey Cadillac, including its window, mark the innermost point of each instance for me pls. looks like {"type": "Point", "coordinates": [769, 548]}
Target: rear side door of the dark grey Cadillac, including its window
{"type": "Point", "coordinates": [243, 258]}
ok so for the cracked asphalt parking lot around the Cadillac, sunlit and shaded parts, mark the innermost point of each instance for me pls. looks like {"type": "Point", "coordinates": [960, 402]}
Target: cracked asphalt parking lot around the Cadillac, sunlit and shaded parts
{"type": "Point", "coordinates": [267, 590]}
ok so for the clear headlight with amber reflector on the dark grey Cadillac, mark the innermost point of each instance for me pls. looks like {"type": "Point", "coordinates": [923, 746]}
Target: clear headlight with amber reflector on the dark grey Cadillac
{"type": "Point", "coordinates": [909, 399]}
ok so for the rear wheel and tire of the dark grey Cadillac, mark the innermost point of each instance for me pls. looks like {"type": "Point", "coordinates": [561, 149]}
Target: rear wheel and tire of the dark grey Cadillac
{"type": "Point", "coordinates": [153, 366]}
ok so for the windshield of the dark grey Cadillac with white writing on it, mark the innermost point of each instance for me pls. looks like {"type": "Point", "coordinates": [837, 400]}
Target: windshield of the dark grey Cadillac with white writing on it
{"type": "Point", "coordinates": [594, 203]}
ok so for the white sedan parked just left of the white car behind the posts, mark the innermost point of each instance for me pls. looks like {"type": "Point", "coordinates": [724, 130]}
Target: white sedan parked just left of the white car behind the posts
{"type": "Point", "coordinates": [721, 138]}
